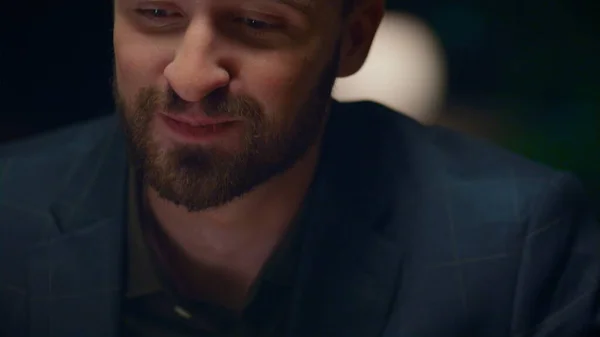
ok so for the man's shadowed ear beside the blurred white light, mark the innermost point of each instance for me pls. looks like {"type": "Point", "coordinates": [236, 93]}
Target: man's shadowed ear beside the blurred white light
{"type": "Point", "coordinates": [358, 32]}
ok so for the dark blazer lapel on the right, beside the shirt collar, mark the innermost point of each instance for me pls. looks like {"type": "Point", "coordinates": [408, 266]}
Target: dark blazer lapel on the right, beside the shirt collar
{"type": "Point", "coordinates": [350, 266]}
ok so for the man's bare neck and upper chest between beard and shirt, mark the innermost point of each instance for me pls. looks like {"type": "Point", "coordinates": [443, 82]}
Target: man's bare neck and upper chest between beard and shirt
{"type": "Point", "coordinates": [221, 251]}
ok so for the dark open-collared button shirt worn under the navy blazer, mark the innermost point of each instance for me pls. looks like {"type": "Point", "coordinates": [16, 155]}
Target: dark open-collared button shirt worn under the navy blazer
{"type": "Point", "coordinates": [152, 308]}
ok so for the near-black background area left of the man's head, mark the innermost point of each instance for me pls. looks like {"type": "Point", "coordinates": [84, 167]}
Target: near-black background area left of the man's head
{"type": "Point", "coordinates": [56, 61]}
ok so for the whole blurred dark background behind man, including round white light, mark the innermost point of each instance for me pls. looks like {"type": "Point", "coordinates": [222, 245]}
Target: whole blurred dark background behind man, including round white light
{"type": "Point", "coordinates": [521, 73]}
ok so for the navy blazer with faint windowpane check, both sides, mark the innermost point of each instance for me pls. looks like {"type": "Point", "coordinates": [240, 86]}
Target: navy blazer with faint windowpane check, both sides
{"type": "Point", "coordinates": [413, 231]}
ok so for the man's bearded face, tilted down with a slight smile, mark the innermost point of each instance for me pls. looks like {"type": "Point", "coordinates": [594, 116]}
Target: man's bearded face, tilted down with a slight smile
{"type": "Point", "coordinates": [218, 96]}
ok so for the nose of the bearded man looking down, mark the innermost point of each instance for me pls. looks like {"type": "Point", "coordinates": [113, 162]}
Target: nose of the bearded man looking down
{"type": "Point", "coordinates": [196, 70]}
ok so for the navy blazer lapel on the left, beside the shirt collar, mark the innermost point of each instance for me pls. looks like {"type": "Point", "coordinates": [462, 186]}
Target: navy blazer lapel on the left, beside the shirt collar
{"type": "Point", "coordinates": [75, 280]}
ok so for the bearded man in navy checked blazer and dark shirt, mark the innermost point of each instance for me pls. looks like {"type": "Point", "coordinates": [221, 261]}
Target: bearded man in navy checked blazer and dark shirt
{"type": "Point", "coordinates": [232, 197]}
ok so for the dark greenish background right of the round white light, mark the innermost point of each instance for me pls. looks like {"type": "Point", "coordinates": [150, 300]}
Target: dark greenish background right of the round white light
{"type": "Point", "coordinates": [530, 69]}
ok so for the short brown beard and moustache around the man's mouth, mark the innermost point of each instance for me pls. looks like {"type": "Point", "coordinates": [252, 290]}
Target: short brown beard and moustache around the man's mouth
{"type": "Point", "coordinates": [199, 177]}
